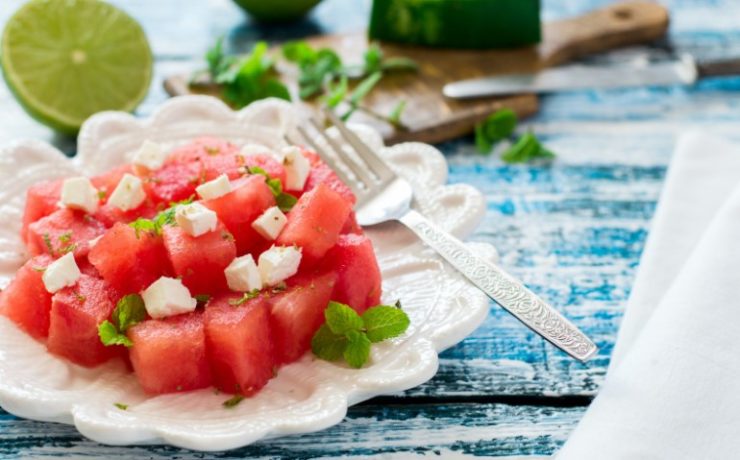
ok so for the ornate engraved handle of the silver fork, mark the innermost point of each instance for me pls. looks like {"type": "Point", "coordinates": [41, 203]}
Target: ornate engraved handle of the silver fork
{"type": "Point", "coordinates": [503, 288]}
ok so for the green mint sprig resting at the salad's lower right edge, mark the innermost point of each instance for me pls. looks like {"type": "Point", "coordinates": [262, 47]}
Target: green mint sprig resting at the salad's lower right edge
{"type": "Point", "coordinates": [348, 335]}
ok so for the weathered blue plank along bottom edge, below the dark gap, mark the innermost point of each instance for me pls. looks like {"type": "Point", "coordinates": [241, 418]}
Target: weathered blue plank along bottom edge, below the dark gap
{"type": "Point", "coordinates": [436, 430]}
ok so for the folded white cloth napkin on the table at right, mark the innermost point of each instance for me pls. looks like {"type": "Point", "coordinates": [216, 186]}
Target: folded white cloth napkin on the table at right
{"type": "Point", "coordinates": [673, 389]}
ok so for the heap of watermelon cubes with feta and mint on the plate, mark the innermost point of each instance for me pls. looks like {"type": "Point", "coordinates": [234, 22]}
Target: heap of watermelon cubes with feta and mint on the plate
{"type": "Point", "coordinates": [207, 265]}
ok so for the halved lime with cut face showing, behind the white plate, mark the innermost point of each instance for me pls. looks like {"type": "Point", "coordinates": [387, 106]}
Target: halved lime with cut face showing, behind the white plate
{"type": "Point", "coordinates": [67, 59]}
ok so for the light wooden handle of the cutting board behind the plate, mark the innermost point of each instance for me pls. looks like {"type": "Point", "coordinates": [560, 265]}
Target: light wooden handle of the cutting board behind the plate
{"type": "Point", "coordinates": [618, 25]}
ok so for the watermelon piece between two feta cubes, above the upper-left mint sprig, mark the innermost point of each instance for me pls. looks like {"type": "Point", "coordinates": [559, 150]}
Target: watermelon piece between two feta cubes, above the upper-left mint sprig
{"type": "Point", "coordinates": [174, 182]}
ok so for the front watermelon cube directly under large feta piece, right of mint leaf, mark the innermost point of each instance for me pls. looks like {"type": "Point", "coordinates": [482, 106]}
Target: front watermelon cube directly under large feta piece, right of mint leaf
{"type": "Point", "coordinates": [169, 354]}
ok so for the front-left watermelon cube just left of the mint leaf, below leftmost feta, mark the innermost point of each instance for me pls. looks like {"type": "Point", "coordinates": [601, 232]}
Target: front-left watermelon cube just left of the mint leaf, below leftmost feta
{"type": "Point", "coordinates": [76, 312]}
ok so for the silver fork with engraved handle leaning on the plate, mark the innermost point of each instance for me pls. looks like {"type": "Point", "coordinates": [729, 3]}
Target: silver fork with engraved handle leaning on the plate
{"type": "Point", "coordinates": [383, 196]}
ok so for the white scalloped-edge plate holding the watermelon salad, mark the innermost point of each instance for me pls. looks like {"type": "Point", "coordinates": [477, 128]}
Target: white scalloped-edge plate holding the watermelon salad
{"type": "Point", "coordinates": [306, 396]}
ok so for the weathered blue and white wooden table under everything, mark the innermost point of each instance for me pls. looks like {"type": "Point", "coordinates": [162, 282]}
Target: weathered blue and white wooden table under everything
{"type": "Point", "coordinates": [573, 231]}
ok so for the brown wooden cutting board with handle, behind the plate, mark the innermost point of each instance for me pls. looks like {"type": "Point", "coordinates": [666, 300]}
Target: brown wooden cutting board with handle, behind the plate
{"type": "Point", "coordinates": [431, 117]}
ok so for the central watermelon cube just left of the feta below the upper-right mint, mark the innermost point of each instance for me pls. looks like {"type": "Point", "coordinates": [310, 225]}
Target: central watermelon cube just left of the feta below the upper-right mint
{"type": "Point", "coordinates": [239, 208]}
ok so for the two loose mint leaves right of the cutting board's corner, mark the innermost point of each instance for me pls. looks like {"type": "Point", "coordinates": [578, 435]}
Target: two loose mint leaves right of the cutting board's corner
{"type": "Point", "coordinates": [500, 126]}
